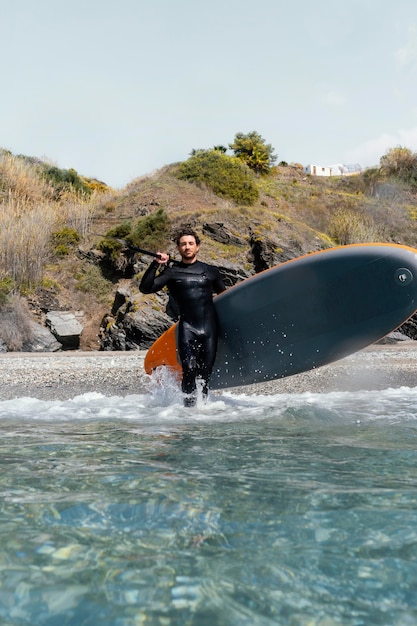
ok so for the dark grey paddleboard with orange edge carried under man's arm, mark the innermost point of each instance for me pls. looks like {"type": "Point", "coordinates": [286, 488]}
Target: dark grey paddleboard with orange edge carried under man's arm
{"type": "Point", "coordinates": [305, 313]}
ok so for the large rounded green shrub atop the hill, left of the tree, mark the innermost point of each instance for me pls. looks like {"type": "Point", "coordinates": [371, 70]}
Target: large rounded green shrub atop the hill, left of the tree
{"type": "Point", "coordinates": [227, 176]}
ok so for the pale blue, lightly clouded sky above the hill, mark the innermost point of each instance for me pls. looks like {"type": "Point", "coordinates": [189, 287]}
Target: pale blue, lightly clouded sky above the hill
{"type": "Point", "coordinates": [117, 90]}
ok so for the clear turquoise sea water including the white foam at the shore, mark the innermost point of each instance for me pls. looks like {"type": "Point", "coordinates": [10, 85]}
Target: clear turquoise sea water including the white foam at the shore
{"type": "Point", "coordinates": [249, 510]}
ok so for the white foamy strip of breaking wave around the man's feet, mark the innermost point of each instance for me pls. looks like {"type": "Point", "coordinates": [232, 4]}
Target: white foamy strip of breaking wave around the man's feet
{"type": "Point", "coordinates": [163, 404]}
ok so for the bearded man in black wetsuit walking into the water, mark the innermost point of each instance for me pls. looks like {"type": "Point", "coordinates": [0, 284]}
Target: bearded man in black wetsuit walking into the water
{"type": "Point", "coordinates": [191, 284]}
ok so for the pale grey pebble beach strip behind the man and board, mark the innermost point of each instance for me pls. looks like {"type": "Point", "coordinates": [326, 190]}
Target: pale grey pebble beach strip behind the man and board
{"type": "Point", "coordinates": [64, 375]}
